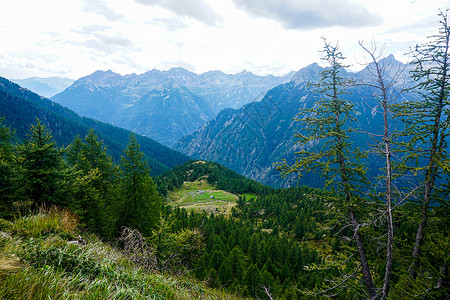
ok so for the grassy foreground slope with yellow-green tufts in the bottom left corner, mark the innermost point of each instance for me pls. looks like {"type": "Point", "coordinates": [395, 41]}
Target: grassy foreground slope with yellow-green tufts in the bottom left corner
{"type": "Point", "coordinates": [38, 261]}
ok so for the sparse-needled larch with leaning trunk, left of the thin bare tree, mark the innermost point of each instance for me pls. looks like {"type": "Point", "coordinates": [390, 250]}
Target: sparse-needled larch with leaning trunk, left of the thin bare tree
{"type": "Point", "coordinates": [329, 124]}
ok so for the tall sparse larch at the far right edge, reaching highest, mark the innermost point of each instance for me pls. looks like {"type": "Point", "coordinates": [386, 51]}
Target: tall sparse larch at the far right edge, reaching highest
{"type": "Point", "coordinates": [427, 128]}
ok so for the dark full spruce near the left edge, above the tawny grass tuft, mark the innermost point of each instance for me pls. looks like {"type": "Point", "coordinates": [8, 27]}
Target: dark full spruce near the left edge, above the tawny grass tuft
{"type": "Point", "coordinates": [42, 168]}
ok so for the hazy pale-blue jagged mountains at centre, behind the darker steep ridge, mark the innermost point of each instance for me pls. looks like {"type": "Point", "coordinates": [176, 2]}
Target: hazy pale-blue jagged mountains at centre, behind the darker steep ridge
{"type": "Point", "coordinates": [163, 105]}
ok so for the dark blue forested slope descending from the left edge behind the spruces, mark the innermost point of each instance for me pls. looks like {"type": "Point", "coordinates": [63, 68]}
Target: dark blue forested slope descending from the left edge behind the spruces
{"type": "Point", "coordinates": [20, 107]}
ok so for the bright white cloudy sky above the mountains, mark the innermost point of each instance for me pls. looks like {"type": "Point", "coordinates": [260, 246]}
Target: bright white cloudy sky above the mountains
{"type": "Point", "coordinates": [73, 38]}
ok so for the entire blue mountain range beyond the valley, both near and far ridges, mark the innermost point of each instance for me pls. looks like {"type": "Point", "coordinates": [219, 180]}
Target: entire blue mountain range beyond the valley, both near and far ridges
{"type": "Point", "coordinates": [181, 108]}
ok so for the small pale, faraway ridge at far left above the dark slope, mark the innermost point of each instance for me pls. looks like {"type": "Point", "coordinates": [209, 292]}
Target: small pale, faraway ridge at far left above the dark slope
{"type": "Point", "coordinates": [46, 87]}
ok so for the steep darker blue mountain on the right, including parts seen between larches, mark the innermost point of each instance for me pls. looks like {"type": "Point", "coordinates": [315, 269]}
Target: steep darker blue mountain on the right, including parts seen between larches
{"type": "Point", "coordinates": [250, 140]}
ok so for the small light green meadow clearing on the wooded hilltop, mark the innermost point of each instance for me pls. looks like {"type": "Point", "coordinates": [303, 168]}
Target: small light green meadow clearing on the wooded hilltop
{"type": "Point", "coordinates": [201, 196]}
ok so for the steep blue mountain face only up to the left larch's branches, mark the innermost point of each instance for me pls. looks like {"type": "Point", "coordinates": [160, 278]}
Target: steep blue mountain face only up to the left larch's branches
{"type": "Point", "coordinates": [251, 139]}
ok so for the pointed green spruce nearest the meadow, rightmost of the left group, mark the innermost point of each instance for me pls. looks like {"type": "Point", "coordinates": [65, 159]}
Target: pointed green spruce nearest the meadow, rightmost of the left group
{"type": "Point", "coordinates": [140, 204]}
